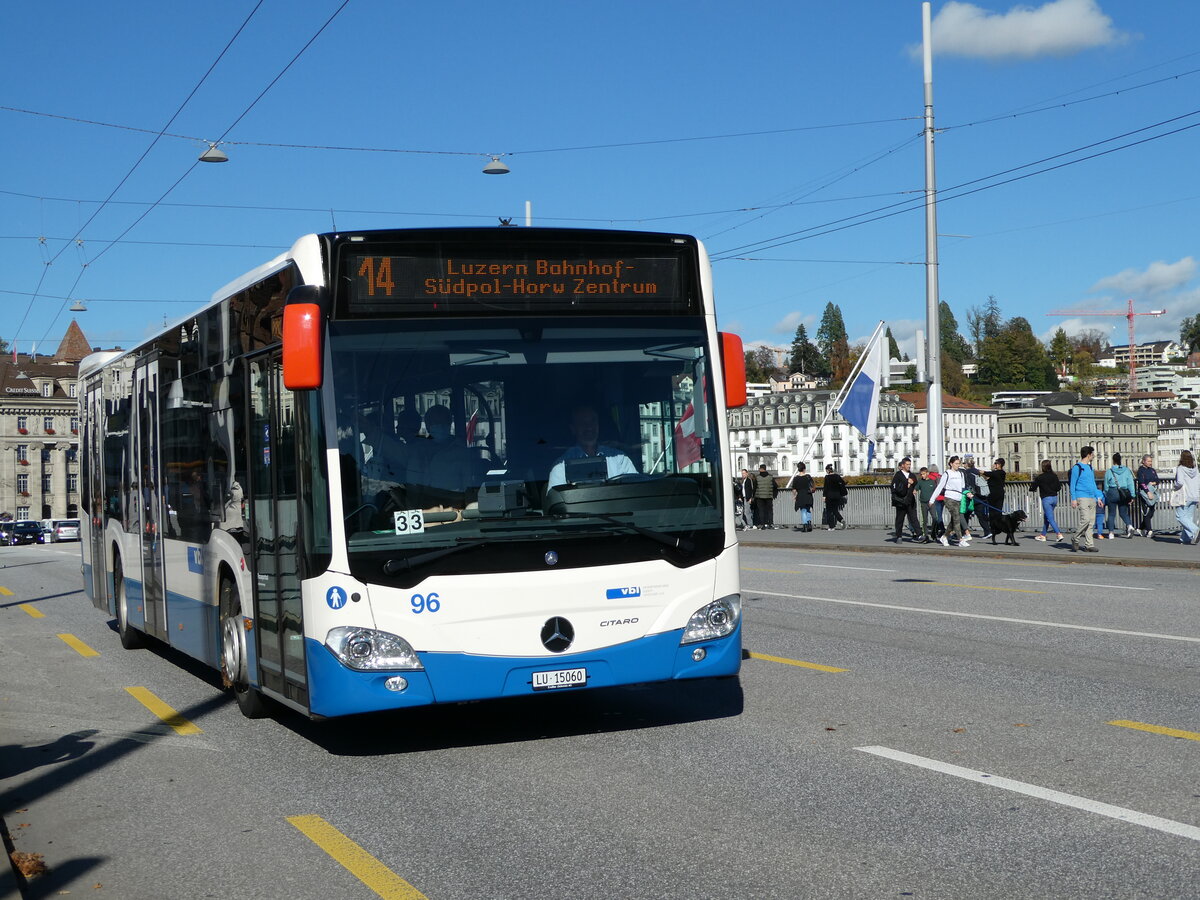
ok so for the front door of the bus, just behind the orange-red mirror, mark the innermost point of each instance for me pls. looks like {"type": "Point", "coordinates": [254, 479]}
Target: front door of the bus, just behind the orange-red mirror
{"type": "Point", "coordinates": [273, 520]}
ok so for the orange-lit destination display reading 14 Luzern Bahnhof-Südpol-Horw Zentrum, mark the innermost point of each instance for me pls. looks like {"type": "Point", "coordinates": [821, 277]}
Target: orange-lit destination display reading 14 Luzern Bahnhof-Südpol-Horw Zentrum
{"type": "Point", "coordinates": [393, 284]}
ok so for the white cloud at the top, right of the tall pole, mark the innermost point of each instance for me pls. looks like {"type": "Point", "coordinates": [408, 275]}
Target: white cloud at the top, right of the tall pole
{"type": "Point", "coordinates": [1058, 28]}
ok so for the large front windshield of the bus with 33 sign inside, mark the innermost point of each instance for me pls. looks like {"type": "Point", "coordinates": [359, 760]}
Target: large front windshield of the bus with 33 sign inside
{"type": "Point", "coordinates": [592, 439]}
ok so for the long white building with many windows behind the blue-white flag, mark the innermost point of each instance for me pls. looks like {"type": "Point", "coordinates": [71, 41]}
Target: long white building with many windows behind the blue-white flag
{"type": "Point", "coordinates": [783, 429]}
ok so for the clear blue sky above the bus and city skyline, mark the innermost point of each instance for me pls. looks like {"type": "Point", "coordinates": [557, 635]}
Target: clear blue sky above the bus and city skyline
{"type": "Point", "coordinates": [763, 128]}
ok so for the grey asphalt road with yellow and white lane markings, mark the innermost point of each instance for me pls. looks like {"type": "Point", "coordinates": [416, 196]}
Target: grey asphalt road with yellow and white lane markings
{"type": "Point", "coordinates": [926, 727]}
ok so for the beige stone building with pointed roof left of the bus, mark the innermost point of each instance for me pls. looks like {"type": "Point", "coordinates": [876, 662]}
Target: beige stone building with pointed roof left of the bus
{"type": "Point", "coordinates": [40, 433]}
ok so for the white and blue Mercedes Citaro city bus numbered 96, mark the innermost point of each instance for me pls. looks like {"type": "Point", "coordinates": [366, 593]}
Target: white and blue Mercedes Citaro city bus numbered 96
{"type": "Point", "coordinates": [393, 469]}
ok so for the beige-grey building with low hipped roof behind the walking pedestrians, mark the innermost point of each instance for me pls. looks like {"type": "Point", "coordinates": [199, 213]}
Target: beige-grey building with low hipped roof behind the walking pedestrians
{"type": "Point", "coordinates": [1055, 427]}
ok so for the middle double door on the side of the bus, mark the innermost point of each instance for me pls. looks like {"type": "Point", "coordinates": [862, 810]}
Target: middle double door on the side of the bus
{"type": "Point", "coordinates": [147, 497]}
